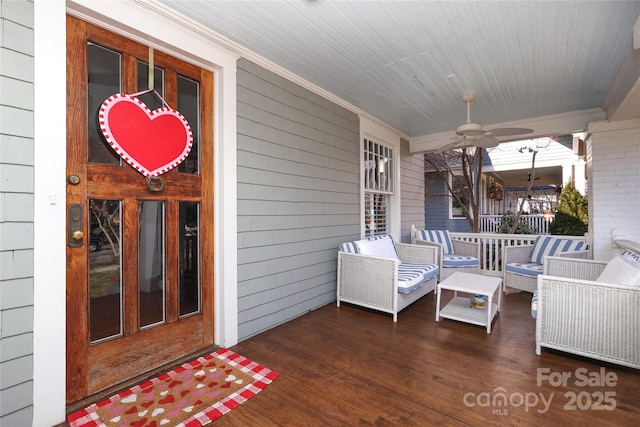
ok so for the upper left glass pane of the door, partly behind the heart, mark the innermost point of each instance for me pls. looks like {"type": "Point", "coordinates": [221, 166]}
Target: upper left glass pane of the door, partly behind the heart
{"type": "Point", "coordinates": [104, 80]}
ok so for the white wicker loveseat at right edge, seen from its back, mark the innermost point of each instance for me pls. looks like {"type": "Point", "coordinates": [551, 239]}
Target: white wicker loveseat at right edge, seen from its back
{"type": "Point", "coordinates": [579, 315]}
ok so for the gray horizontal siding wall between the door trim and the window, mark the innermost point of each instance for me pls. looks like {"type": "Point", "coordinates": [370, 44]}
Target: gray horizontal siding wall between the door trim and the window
{"type": "Point", "coordinates": [298, 197]}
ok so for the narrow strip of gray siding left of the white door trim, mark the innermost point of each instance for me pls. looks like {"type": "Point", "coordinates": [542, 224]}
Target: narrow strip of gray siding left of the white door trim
{"type": "Point", "coordinates": [16, 212]}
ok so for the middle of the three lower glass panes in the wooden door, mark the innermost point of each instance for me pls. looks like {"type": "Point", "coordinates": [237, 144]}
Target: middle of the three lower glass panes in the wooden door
{"type": "Point", "coordinates": [151, 279]}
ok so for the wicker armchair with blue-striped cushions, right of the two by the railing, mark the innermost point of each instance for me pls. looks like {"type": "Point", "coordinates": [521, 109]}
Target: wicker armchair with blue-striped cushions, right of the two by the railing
{"type": "Point", "coordinates": [522, 264]}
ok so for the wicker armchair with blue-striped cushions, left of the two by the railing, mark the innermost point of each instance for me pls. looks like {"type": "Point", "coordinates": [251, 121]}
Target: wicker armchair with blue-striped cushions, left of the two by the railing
{"type": "Point", "coordinates": [453, 255]}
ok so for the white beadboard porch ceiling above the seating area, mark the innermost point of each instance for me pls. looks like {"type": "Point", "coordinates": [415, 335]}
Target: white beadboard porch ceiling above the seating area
{"type": "Point", "coordinates": [408, 63]}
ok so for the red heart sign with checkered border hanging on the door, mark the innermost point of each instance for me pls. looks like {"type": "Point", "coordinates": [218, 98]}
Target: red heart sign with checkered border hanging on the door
{"type": "Point", "coordinates": [153, 142]}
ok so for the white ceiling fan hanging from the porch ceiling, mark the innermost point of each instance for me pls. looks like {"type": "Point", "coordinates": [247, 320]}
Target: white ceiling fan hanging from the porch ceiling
{"type": "Point", "coordinates": [472, 134]}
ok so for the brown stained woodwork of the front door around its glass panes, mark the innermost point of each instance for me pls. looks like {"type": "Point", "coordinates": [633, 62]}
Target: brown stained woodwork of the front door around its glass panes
{"type": "Point", "coordinates": [96, 365]}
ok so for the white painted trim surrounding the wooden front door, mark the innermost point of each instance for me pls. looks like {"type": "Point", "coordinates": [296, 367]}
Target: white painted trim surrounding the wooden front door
{"type": "Point", "coordinates": [176, 36]}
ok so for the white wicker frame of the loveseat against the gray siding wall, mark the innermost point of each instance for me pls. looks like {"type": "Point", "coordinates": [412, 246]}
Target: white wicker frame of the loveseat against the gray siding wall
{"type": "Point", "coordinates": [372, 282]}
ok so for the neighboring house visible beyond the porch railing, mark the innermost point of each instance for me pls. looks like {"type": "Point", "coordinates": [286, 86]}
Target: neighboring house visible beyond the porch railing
{"type": "Point", "coordinates": [504, 180]}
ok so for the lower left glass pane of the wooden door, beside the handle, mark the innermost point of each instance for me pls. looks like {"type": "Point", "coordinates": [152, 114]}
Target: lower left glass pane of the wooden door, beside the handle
{"type": "Point", "coordinates": [105, 269]}
